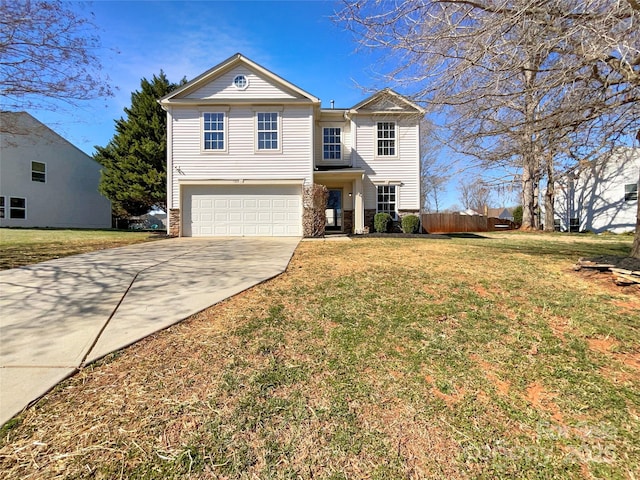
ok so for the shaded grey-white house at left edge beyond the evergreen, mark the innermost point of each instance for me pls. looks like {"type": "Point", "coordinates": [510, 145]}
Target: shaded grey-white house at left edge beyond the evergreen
{"type": "Point", "coordinates": [45, 181]}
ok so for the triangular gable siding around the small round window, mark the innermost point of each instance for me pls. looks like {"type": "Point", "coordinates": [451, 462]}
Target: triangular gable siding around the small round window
{"type": "Point", "coordinates": [222, 87]}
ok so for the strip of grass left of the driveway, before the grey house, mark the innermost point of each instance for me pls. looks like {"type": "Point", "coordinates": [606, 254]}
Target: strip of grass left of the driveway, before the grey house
{"type": "Point", "coordinates": [25, 246]}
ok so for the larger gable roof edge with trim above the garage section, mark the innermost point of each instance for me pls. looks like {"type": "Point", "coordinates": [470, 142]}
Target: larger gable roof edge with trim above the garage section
{"type": "Point", "coordinates": [232, 62]}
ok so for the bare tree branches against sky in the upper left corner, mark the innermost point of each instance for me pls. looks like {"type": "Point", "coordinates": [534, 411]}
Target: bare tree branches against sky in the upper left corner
{"type": "Point", "coordinates": [47, 54]}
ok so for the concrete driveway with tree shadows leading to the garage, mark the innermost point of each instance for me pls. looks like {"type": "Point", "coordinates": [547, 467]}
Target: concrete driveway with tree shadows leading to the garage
{"type": "Point", "coordinates": [58, 316]}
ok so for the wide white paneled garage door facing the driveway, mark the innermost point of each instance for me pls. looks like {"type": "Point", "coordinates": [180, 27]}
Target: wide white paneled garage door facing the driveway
{"type": "Point", "coordinates": [242, 211]}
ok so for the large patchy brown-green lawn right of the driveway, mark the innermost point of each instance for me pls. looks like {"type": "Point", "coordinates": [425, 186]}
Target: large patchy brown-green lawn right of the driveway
{"type": "Point", "coordinates": [483, 357]}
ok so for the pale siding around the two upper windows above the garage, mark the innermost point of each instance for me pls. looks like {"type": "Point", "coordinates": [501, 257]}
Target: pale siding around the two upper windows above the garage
{"type": "Point", "coordinates": [242, 161]}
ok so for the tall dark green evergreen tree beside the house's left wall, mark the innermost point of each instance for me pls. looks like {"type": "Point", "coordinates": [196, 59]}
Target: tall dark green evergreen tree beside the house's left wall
{"type": "Point", "coordinates": [134, 174]}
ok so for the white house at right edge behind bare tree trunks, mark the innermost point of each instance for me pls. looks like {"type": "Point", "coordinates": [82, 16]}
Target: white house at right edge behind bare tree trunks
{"type": "Point", "coordinates": [600, 196]}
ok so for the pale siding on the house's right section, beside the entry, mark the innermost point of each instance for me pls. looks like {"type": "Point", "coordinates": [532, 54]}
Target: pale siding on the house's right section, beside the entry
{"type": "Point", "coordinates": [402, 168]}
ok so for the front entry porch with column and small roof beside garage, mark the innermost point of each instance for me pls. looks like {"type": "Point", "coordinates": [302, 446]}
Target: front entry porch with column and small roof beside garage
{"type": "Point", "coordinates": [345, 205]}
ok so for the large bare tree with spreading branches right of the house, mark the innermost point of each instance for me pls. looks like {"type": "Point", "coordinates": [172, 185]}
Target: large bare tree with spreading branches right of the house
{"type": "Point", "coordinates": [519, 80]}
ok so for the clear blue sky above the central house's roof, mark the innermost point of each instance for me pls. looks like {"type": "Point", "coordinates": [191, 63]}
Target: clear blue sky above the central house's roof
{"type": "Point", "coordinates": [297, 40]}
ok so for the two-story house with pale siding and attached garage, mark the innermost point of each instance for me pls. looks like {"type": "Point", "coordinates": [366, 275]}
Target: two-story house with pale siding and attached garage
{"type": "Point", "coordinates": [243, 143]}
